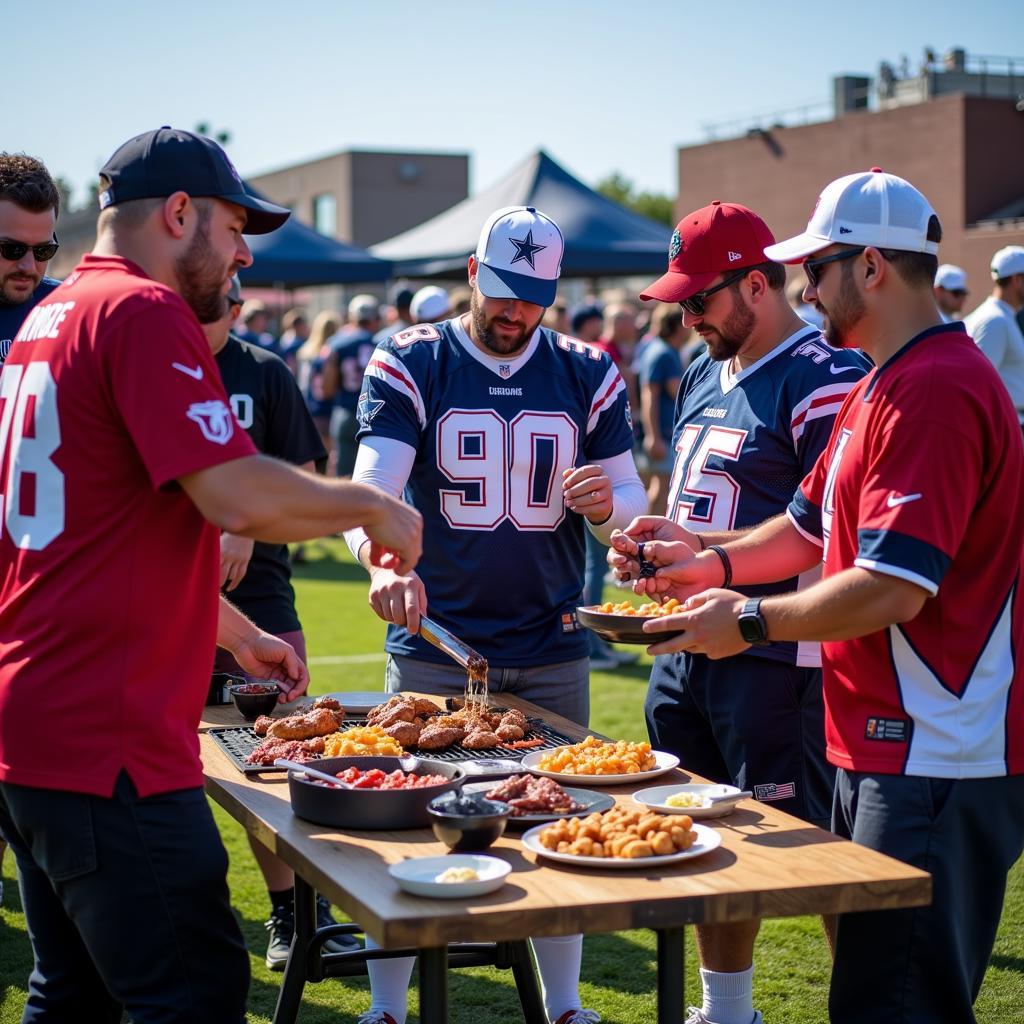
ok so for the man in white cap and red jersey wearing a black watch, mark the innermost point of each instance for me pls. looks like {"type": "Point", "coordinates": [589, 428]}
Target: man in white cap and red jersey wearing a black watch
{"type": "Point", "coordinates": [910, 508]}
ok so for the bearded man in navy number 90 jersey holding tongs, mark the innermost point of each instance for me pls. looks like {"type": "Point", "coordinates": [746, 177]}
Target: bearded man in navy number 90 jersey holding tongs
{"type": "Point", "coordinates": [513, 440]}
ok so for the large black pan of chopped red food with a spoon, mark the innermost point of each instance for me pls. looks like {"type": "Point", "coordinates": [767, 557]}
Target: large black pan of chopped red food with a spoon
{"type": "Point", "coordinates": [371, 809]}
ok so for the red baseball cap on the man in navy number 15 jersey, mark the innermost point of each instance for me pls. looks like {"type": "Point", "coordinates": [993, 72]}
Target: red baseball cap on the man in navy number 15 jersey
{"type": "Point", "coordinates": [711, 241]}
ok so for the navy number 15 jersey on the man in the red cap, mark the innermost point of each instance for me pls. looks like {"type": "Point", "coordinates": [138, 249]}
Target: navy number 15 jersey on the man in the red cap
{"type": "Point", "coordinates": [744, 443]}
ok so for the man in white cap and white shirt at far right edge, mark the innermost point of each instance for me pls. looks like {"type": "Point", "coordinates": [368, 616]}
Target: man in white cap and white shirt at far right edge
{"type": "Point", "coordinates": [994, 325]}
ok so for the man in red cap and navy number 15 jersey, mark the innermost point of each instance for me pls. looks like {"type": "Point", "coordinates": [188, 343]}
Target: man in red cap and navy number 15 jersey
{"type": "Point", "coordinates": [752, 417]}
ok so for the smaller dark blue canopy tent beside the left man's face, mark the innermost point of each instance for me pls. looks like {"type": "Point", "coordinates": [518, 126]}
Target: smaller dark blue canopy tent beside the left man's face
{"type": "Point", "coordinates": [297, 257]}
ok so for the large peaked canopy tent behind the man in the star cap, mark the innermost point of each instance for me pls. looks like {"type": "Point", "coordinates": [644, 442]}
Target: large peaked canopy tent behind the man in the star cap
{"type": "Point", "coordinates": [603, 238]}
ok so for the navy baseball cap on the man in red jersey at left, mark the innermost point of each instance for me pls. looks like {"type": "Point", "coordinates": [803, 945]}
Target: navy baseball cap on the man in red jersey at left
{"type": "Point", "coordinates": [169, 160]}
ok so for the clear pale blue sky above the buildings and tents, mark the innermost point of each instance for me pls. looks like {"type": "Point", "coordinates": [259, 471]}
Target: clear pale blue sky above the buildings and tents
{"type": "Point", "coordinates": [604, 87]}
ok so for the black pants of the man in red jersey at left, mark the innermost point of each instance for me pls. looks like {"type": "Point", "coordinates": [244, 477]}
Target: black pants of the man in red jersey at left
{"type": "Point", "coordinates": [127, 907]}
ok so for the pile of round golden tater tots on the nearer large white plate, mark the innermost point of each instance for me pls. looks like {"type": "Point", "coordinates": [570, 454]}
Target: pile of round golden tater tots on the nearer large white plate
{"type": "Point", "coordinates": [621, 833]}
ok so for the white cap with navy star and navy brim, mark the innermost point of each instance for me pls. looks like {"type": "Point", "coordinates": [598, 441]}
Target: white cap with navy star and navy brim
{"type": "Point", "coordinates": [520, 257]}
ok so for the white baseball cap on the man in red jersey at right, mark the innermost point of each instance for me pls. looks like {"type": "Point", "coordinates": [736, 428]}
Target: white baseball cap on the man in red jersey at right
{"type": "Point", "coordinates": [867, 209]}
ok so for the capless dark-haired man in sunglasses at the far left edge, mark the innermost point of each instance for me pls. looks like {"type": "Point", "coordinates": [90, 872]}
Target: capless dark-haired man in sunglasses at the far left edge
{"type": "Point", "coordinates": [29, 207]}
